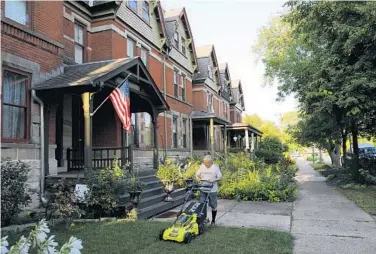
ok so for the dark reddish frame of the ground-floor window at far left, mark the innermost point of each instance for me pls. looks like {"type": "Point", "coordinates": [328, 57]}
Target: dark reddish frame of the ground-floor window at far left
{"type": "Point", "coordinates": [27, 107]}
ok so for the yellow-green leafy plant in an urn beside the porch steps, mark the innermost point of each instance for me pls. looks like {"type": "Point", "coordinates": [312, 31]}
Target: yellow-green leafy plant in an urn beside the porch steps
{"type": "Point", "coordinates": [169, 173]}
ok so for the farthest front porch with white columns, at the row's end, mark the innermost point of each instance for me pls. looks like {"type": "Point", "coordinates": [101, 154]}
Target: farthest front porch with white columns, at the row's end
{"type": "Point", "coordinates": [243, 138]}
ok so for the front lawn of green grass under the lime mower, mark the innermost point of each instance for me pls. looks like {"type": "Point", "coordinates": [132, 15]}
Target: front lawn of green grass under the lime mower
{"type": "Point", "coordinates": [142, 238]}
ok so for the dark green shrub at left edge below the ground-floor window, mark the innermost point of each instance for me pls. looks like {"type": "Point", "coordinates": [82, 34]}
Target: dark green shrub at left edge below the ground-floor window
{"type": "Point", "coordinates": [14, 194]}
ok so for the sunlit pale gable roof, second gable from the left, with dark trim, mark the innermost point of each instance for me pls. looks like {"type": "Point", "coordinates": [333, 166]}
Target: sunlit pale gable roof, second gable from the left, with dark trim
{"type": "Point", "coordinates": [173, 15]}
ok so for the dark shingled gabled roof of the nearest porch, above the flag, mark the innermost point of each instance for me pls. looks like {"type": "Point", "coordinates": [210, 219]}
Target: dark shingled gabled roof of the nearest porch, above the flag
{"type": "Point", "coordinates": [103, 74]}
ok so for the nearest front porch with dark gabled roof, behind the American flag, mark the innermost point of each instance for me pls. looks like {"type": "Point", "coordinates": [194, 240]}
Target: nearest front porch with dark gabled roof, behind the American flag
{"type": "Point", "coordinates": [88, 139]}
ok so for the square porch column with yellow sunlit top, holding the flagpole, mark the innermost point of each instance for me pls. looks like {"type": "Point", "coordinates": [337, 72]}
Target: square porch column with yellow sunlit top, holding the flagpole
{"type": "Point", "coordinates": [87, 108]}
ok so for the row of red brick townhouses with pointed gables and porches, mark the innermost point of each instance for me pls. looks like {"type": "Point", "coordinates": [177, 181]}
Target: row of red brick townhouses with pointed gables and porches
{"type": "Point", "coordinates": [62, 59]}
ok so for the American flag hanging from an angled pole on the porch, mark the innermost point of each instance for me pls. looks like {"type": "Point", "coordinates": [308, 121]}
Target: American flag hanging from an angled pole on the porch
{"type": "Point", "coordinates": [121, 101]}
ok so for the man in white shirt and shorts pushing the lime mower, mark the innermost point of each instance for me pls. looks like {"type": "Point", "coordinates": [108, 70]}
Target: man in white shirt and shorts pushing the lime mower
{"type": "Point", "coordinates": [209, 172]}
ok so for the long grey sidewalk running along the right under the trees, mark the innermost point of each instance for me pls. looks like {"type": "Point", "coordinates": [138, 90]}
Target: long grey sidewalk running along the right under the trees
{"type": "Point", "coordinates": [323, 221]}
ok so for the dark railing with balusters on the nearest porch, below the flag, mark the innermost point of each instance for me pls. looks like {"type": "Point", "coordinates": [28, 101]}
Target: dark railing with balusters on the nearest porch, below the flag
{"type": "Point", "coordinates": [101, 157]}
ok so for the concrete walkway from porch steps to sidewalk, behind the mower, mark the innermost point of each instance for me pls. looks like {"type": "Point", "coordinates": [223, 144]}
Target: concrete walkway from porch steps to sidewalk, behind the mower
{"type": "Point", "coordinates": [274, 216]}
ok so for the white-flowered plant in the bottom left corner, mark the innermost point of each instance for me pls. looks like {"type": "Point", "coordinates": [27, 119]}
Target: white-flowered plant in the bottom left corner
{"type": "Point", "coordinates": [39, 242]}
